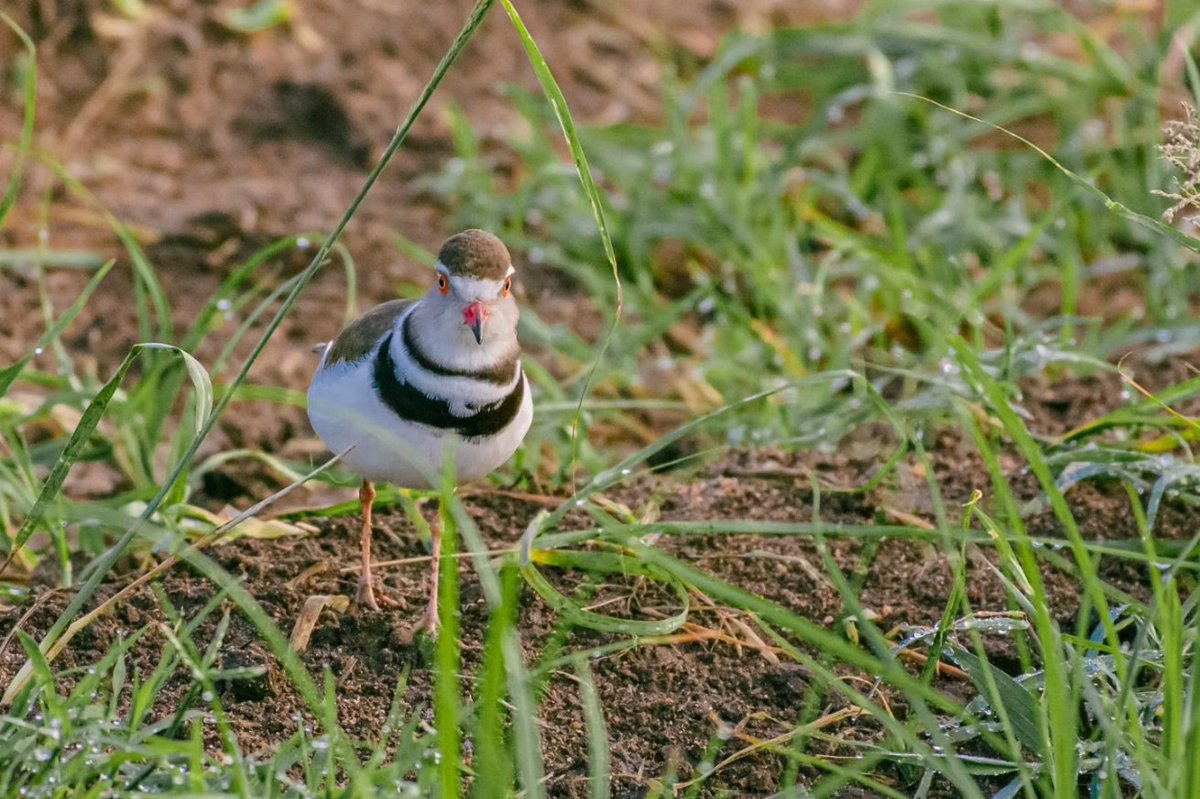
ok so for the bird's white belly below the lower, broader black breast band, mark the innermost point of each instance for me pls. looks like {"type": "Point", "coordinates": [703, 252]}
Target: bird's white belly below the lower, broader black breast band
{"type": "Point", "coordinates": [345, 411]}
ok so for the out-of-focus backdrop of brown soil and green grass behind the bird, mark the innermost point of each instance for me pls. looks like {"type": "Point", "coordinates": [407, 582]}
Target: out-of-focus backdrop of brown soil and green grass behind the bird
{"type": "Point", "coordinates": [779, 203]}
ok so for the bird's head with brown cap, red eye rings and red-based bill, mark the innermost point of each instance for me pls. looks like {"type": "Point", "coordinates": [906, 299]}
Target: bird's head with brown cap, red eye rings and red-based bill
{"type": "Point", "coordinates": [475, 284]}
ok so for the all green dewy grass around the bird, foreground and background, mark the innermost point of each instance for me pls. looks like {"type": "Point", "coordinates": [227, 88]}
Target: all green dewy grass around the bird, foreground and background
{"type": "Point", "coordinates": [877, 261]}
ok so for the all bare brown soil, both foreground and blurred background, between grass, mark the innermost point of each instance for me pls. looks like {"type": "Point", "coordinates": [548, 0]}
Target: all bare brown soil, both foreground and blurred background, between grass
{"type": "Point", "coordinates": [209, 143]}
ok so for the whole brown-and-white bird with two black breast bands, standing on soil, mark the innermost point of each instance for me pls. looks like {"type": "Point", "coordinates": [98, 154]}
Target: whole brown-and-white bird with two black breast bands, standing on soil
{"type": "Point", "coordinates": [413, 382]}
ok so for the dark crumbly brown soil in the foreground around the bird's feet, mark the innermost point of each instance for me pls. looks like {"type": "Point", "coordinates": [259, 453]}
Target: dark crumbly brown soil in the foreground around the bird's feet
{"type": "Point", "coordinates": [663, 704]}
